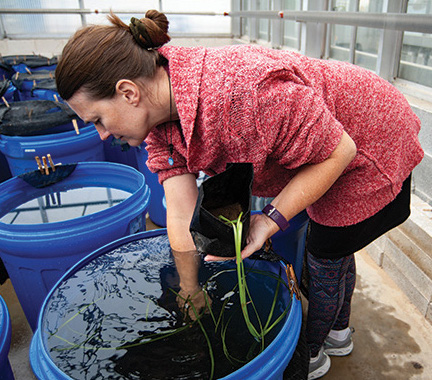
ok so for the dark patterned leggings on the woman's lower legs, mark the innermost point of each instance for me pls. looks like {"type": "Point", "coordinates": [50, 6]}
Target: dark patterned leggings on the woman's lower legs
{"type": "Point", "coordinates": [331, 286]}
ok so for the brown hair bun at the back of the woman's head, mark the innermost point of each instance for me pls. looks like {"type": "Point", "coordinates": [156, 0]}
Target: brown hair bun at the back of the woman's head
{"type": "Point", "coordinates": [152, 31]}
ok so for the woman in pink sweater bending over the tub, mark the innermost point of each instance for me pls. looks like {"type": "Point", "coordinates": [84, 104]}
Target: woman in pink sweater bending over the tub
{"type": "Point", "coordinates": [326, 136]}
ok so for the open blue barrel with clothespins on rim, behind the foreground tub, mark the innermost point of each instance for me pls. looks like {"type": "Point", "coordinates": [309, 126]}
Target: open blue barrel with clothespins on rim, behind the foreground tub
{"type": "Point", "coordinates": [37, 255]}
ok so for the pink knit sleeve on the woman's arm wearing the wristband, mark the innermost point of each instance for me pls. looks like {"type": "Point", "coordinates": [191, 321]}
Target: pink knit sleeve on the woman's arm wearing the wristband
{"type": "Point", "coordinates": [295, 125]}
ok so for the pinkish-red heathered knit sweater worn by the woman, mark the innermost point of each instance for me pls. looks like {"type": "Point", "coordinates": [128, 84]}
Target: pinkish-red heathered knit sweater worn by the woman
{"type": "Point", "coordinates": [281, 110]}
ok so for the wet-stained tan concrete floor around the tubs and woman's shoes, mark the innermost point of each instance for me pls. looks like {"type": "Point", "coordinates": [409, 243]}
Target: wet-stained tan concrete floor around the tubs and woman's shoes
{"type": "Point", "coordinates": [392, 339]}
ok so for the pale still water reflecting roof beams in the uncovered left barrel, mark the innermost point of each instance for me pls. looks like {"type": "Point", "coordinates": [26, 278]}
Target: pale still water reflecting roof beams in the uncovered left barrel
{"type": "Point", "coordinates": [64, 205]}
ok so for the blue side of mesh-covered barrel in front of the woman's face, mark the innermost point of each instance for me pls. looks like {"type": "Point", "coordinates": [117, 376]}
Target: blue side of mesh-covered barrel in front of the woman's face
{"type": "Point", "coordinates": [64, 147]}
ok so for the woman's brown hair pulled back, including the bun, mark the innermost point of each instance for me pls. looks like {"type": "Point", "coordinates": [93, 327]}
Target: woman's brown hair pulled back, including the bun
{"type": "Point", "coordinates": [98, 56]}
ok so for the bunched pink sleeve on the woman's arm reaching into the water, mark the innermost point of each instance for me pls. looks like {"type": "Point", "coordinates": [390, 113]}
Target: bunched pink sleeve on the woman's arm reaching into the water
{"type": "Point", "coordinates": [158, 151]}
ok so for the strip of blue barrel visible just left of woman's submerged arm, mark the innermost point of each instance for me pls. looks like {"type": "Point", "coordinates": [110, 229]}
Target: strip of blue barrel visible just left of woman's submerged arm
{"type": "Point", "coordinates": [157, 208]}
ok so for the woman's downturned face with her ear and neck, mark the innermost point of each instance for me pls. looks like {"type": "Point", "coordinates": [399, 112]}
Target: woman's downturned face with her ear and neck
{"type": "Point", "coordinates": [128, 116]}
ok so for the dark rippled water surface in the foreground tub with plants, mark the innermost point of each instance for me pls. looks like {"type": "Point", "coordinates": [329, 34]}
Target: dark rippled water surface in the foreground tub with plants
{"type": "Point", "coordinates": [117, 318]}
